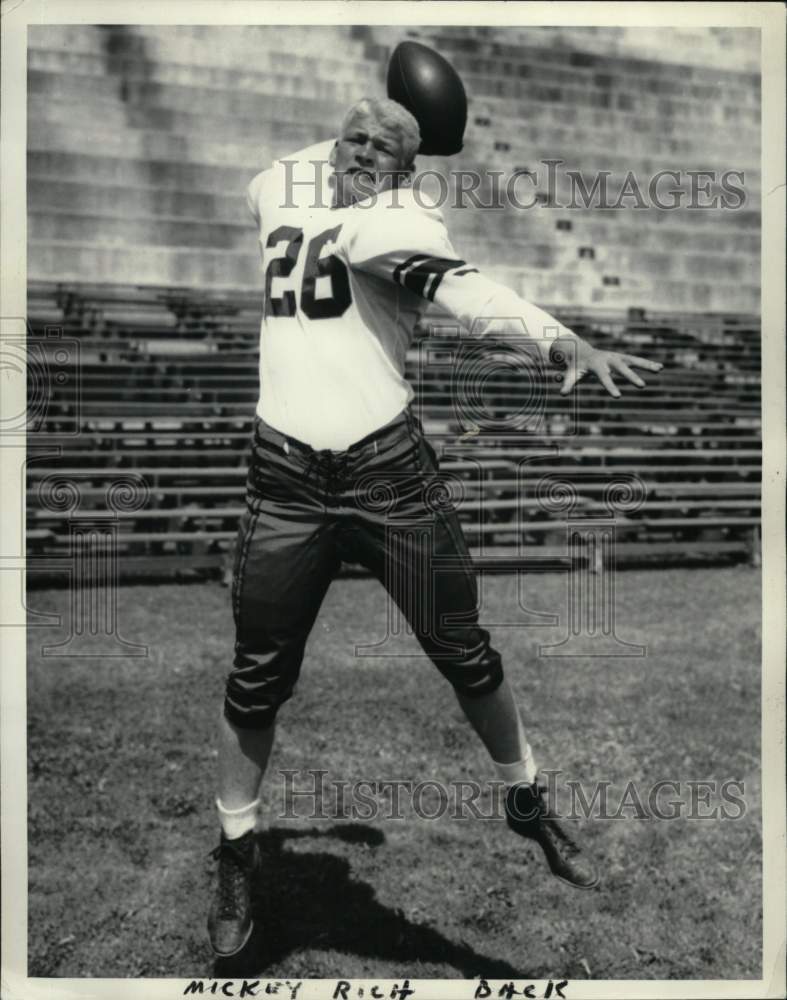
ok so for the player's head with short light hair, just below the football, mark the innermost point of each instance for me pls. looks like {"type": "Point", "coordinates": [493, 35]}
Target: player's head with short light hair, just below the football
{"type": "Point", "coordinates": [368, 158]}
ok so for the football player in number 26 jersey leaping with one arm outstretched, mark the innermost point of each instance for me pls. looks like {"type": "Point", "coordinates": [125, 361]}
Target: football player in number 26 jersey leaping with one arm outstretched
{"type": "Point", "coordinates": [346, 279]}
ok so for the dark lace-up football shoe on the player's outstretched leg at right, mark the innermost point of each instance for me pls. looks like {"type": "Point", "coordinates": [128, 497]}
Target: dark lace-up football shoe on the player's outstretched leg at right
{"type": "Point", "coordinates": [529, 815]}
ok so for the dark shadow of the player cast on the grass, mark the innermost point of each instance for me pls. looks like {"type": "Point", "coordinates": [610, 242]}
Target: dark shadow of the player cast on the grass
{"type": "Point", "coordinates": [311, 900]}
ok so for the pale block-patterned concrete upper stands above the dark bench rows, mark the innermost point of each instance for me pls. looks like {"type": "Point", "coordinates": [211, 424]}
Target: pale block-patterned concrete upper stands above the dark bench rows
{"type": "Point", "coordinates": [141, 141]}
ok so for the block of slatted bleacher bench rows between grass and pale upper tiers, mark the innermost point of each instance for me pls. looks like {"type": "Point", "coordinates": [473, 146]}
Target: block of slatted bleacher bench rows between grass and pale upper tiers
{"type": "Point", "coordinates": [187, 364]}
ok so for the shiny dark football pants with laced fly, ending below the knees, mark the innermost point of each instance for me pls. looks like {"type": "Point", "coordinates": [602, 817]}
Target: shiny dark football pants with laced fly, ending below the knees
{"type": "Point", "coordinates": [379, 504]}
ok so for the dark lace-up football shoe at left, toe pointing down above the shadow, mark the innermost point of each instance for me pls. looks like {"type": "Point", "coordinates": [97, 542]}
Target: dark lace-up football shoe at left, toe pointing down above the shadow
{"type": "Point", "coordinates": [229, 920]}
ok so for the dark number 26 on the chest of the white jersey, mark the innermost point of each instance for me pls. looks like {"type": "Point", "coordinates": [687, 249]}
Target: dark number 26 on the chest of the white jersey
{"type": "Point", "coordinates": [325, 307]}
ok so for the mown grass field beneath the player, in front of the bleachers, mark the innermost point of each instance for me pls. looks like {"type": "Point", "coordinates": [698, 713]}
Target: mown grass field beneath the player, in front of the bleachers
{"type": "Point", "coordinates": [121, 783]}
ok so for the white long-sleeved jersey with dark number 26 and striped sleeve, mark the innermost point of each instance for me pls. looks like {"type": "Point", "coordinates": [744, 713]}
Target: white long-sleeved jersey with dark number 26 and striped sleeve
{"type": "Point", "coordinates": [344, 288]}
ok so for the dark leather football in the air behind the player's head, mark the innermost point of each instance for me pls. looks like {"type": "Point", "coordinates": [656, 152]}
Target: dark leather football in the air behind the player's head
{"type": "Point", "coordinates": [429, 87]}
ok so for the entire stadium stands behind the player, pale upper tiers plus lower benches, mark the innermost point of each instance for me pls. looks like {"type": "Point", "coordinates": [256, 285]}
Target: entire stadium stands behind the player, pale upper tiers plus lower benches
{"type": "Point", "coordinates": [141, 142]}
